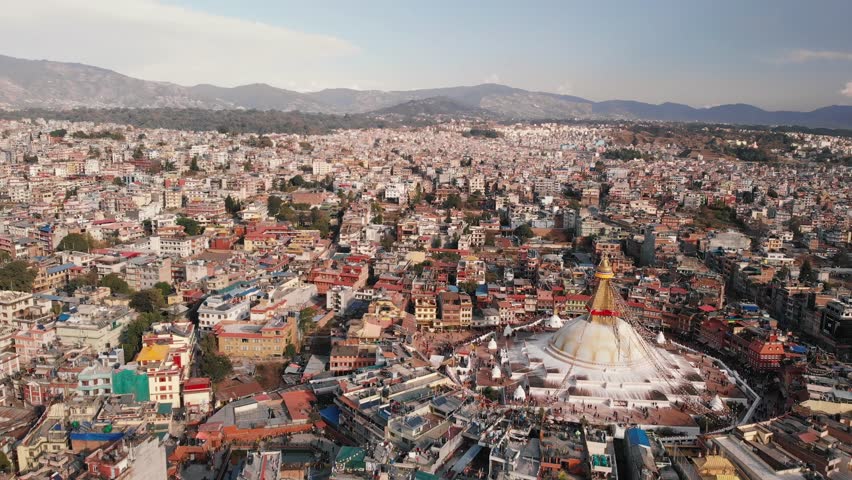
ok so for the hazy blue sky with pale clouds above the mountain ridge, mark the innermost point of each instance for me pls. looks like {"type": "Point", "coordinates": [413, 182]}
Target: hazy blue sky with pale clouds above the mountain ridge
{"type": "Point", "coordinates": [777, 54]}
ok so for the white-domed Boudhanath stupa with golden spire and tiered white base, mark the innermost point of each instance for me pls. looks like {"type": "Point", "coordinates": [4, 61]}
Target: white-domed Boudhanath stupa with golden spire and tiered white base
{"type": "Point", "coordinates": [601, 358]}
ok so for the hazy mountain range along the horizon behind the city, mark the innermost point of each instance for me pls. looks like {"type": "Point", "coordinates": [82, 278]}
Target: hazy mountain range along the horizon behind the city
{"type": "Point", "coordinates": [57, 85]}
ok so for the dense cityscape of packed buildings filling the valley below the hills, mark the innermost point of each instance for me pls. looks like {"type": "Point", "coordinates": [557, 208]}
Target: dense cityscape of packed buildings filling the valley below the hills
{"type": "Point", "coordinates": [464, 299]}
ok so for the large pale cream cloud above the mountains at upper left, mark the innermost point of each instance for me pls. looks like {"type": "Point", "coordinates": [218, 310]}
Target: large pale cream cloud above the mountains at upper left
{"type": "Point", "coordinates": [155, 41]}
